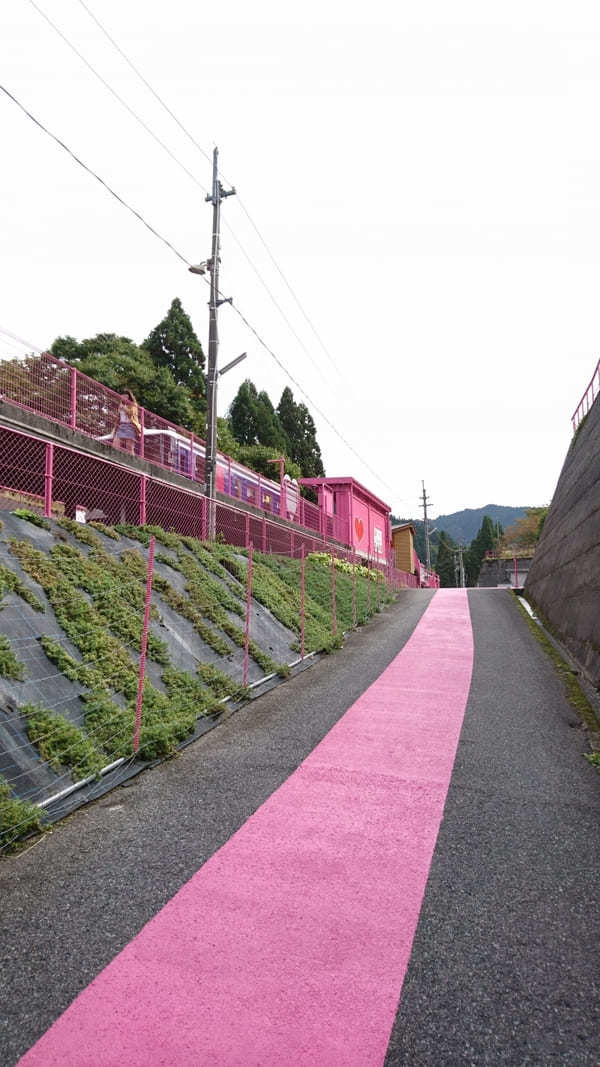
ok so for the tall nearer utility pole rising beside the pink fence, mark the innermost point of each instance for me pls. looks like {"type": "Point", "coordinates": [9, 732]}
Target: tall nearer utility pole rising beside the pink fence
{"type": "Point", "coordinates": [215, 302]}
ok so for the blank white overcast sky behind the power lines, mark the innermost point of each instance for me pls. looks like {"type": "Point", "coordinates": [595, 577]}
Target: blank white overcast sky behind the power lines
{"type": "Point", "coordinates": [427, 176]}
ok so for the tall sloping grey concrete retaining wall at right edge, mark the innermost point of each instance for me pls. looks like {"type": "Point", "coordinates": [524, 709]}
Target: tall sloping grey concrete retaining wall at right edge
{"type": "Point", "coordinates": [564, 579]}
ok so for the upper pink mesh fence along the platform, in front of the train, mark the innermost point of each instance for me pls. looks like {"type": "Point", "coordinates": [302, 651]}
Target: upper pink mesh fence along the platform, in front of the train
{"type": "Point", "coordinates": [56, 391]}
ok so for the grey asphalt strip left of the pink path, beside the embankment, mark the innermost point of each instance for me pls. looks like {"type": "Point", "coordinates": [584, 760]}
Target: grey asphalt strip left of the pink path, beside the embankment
{"type": "Point", "coordinates": [72, 903]}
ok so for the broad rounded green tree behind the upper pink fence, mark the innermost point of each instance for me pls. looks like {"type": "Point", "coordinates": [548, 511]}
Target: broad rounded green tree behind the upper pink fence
{"type": "Point", "coordinates": [120, 364]}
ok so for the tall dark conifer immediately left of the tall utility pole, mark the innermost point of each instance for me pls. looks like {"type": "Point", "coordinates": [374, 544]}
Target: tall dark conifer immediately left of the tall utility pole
{"type": "Point", "coordinates": [175, 345]}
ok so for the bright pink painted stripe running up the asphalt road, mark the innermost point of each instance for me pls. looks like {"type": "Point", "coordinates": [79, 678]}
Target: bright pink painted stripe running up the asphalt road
{"type": "Point", "coordinates": [290, 947]}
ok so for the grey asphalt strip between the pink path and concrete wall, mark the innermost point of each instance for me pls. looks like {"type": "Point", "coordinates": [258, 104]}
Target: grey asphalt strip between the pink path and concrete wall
{"type": "Point", "coordinates": [506, 967]}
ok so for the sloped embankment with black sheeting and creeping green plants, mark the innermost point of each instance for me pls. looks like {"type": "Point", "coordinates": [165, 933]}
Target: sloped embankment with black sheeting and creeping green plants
{"type": "Point", "coordinates": [71, 628]}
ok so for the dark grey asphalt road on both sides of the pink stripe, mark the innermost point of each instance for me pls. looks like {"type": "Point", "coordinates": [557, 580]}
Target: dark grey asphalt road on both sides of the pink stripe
{"type": "Point", "coordinates": [504, 968]}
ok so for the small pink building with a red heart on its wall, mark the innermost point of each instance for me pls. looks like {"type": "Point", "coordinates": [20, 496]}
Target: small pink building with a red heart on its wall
{"type": "Point", "coordinates": [354, 516]}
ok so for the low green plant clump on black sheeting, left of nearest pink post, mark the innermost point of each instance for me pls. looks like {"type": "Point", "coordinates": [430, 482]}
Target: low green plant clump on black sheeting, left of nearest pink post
{"type": "Point", "coordinates": [61, 744]}
